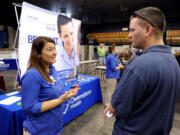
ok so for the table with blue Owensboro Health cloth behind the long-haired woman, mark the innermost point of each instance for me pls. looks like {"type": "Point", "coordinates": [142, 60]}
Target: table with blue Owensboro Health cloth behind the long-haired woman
{"type": "Point", "coordinates": [12, 116]}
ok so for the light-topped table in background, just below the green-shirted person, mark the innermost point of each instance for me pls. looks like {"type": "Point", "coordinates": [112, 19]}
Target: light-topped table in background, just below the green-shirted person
{"type": "Point", "coordinates": [91, 65]}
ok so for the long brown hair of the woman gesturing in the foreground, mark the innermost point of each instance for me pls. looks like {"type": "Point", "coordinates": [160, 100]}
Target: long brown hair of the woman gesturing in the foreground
{"type": "Point", "coordinates": [35, 61]}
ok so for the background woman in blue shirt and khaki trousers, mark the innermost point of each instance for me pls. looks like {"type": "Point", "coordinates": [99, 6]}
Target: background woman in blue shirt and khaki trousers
{"type": "Point", "coordinates": [112, 73]}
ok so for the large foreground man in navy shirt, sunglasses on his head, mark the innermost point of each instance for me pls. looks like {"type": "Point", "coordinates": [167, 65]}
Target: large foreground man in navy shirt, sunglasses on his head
{"type": "Point", "coordinates": [144, 99]}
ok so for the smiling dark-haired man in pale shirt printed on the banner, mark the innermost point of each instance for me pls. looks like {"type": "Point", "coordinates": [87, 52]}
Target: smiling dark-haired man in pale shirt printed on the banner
{"type": "Point", "coordinates": [67, 57]}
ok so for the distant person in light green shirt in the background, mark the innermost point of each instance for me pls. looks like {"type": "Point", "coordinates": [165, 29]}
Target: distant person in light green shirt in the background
{"type": "Point", "coordinates": [101, 54]}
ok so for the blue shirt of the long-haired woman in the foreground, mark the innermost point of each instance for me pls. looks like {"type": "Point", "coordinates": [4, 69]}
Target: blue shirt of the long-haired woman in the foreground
{"type": "Point", "coordinates": [35, 90]}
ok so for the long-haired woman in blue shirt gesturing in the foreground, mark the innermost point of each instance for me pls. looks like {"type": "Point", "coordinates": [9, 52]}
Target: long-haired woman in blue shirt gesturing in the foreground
{"type": "Point", "coordinates": [42, 93]}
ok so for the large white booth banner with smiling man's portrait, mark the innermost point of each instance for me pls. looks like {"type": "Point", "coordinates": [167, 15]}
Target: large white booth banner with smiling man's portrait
{"type": "Point", "coordinates": [64, 31]}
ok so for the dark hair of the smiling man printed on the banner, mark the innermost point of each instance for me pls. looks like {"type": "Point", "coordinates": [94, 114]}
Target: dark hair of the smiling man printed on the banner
{"type": "Point", "coordinates": [62, 20]}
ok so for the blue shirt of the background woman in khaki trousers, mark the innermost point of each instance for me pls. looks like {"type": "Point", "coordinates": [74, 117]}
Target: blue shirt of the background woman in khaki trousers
{"type": "Point", "coordinates": [111, 65]}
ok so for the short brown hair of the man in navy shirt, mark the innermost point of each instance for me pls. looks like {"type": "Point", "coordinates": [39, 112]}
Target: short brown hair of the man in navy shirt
{"type": "Point", "coordinates": [153, 16]}
